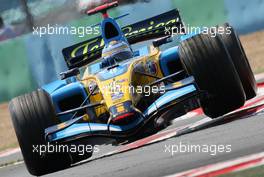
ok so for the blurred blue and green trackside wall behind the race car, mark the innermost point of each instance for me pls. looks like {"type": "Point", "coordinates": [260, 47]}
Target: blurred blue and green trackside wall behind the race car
{"type": "Point", "coordinates": [28, 61]}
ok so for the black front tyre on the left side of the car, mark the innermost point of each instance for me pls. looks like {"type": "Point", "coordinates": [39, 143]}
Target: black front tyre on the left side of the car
{"type": "Point", "coordinates": [31, 114]}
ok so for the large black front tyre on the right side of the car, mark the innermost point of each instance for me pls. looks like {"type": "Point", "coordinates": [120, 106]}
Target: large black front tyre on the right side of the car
{"type": "Point", "coordinates": [208, 61]}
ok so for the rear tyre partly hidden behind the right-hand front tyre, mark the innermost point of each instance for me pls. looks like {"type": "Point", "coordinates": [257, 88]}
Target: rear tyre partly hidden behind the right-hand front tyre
{"type": "Point", "coordinates": [239, 58]}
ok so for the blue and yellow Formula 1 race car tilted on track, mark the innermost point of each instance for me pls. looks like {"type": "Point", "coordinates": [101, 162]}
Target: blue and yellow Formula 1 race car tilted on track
{"type": "Point", "coordinates": [113, 92]}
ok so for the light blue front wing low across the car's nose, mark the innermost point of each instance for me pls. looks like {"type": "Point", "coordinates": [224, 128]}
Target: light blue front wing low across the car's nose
{"type": "Point", "coordinates": [76, 128]}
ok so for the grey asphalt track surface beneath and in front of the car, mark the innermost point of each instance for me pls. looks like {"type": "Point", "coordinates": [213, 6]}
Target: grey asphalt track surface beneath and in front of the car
{"type": "Point", "coordinates": [245, 136]}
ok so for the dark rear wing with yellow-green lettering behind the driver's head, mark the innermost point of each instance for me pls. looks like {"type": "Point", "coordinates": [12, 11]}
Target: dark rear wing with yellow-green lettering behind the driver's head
{"type": "Point", "coordinates": [88, 51]}
